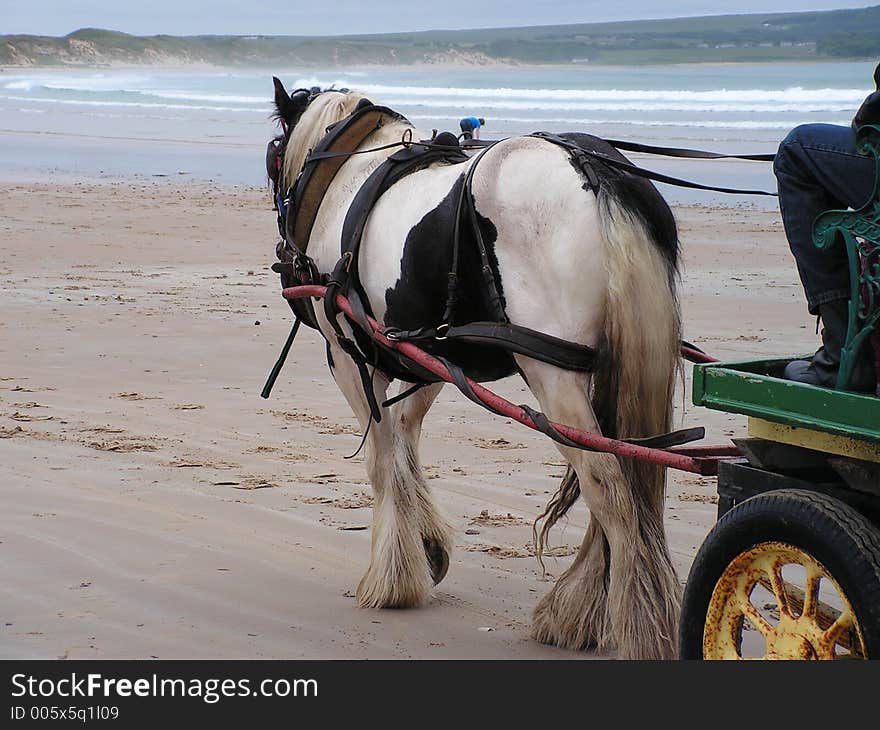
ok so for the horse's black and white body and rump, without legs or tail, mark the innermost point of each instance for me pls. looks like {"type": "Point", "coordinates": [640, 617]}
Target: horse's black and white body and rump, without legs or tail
{"type": "Point", "coordinates": [540, 220]}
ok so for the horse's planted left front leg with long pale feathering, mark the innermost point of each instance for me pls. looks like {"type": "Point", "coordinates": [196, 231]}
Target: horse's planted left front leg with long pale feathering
{"type": "Point", "coordinates": [399, 574]}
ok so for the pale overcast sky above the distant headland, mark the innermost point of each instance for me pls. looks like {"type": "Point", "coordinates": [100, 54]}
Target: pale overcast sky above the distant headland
{"type": "Point", "coordinates": [331, 17]}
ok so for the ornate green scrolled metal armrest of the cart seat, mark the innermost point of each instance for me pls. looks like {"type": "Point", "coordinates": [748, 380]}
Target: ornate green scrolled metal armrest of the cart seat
{"type": "Point", "coordinates": [859, 230]}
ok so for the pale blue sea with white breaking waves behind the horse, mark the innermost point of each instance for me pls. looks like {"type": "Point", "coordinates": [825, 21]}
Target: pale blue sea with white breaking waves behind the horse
{"type": "Point", "coordinates": [212, 125]}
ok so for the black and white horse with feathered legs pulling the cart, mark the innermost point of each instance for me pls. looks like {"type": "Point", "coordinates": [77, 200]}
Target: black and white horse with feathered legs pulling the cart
{"type": "Point", "coordinates": [592, 262]}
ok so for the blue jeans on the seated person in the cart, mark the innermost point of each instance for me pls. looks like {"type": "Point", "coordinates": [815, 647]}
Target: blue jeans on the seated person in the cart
{"type": "Point", "coordinates": [817, 168]}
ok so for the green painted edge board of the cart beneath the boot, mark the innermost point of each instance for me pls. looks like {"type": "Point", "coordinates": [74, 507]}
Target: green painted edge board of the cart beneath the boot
{"type": "Point", "coordinates": [757, 388]}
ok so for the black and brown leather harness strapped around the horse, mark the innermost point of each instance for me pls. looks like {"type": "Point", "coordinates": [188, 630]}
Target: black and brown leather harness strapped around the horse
{"type": "Point", "coordinates": [296, 218]}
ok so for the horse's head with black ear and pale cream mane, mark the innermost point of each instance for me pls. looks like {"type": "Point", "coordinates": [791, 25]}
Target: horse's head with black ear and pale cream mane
{"type": "Point", "coordinates": [304, 116]}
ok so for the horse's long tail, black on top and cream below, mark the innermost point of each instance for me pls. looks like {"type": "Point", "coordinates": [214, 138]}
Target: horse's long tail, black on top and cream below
{"type": "Point", "coordinates": [633, 385]}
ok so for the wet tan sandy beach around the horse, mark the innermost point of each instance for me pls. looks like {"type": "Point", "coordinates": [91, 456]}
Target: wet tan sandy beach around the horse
{"type": "Point", "coordinates": [153, 505]}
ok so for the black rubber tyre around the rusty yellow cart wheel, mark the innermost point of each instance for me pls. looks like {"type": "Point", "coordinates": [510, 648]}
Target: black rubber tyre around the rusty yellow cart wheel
{"type": "Point", "coordinates": [833, 533]}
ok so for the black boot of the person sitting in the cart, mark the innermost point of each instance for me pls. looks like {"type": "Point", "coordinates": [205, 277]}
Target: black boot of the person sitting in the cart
{"type": "Point", "coordinates": [822, 368]}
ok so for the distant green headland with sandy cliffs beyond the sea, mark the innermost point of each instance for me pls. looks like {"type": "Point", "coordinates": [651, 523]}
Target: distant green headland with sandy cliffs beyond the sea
{"type": "Point", "coordinates": [822, 35]}
